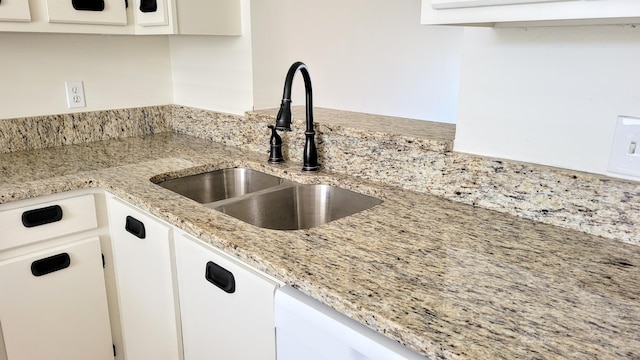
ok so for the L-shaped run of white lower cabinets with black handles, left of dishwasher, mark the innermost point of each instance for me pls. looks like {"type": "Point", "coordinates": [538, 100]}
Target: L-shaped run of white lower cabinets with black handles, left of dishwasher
{"type": "Point", "coordinates": [85, 274]}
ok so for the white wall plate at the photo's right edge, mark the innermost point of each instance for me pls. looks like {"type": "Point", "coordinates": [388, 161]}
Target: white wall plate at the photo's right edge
{"type": "Point", "coordinates": [625, 151]}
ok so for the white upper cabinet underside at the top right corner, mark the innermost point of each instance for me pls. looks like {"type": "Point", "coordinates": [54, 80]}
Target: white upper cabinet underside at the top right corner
{"type": "Point", "coordinates": [529, 12]}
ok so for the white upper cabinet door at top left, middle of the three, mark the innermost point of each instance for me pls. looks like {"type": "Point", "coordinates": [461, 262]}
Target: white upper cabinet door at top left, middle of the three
{"type": "Point", "coordinates": [100, 12]}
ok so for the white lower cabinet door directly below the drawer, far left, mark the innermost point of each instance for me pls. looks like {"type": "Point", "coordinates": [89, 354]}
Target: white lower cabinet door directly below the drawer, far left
{"type": "Point", "coordinates": [54, 304]}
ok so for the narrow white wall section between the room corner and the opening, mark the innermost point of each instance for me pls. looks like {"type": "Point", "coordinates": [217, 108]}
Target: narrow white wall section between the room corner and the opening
{"type": "Point", "coordinates": [214, 72]}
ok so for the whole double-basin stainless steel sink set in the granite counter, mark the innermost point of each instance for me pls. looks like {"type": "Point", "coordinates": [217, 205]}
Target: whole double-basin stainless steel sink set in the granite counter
{"type": "Point", "coordinates": [269, 201]}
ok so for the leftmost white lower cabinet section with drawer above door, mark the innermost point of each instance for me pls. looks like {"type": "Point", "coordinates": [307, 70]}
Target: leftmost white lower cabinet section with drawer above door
{"type": "Point", "coordinates": [54, 288]}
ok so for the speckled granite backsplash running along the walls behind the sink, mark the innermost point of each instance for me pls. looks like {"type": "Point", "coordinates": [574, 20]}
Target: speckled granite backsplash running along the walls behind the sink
{"type": "Point", "coordinates": [412, 154]}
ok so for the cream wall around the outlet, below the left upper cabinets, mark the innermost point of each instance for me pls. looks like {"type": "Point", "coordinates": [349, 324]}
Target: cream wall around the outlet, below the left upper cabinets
{"type": "Point", "coordinates": [118, 72]}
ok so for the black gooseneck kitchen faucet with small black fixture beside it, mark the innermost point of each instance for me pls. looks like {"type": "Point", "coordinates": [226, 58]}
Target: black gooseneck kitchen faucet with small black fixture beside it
{"type": "Point", "coordinates": [283, 120]}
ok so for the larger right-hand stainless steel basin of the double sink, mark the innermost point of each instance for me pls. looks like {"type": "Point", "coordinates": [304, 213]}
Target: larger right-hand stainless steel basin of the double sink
{"type": "Point", "coordinates": [298, 207]}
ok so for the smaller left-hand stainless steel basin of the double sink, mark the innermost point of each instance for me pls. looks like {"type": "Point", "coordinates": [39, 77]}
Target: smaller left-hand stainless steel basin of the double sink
{"type": "Point", "coordinates": [221, 184]}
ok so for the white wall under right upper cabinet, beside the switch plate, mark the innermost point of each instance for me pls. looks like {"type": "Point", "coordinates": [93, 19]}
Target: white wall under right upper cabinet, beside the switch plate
{"type": "Point", "coordinates": [547, 95]}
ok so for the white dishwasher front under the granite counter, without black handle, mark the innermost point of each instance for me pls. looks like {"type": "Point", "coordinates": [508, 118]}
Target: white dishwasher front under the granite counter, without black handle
{"type": "Point", "coordinates": [307, 329]}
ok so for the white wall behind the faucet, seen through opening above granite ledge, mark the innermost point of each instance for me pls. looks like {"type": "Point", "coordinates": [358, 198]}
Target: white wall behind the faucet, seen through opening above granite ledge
{"type": "Point", "coordinates": [363, 55]}
